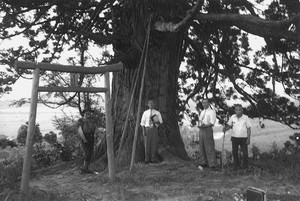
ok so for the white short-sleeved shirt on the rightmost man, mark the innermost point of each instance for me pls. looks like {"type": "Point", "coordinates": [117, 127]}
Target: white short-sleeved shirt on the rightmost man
{"type": "Point", "coordinates": [239, 125]}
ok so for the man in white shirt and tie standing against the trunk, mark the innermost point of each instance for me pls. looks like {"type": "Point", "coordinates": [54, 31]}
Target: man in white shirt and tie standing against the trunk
{"type": "Point", "coordinates": [150, 121]}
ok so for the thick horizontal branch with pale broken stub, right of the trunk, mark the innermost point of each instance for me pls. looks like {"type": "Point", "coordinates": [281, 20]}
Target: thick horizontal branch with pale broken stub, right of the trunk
{"type": "Point", "coordinates": [249, 23]}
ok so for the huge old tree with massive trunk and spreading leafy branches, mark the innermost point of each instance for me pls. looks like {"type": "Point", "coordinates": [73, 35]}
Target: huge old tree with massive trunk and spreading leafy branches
{"type": "Point", "coordinates": [211, 36]}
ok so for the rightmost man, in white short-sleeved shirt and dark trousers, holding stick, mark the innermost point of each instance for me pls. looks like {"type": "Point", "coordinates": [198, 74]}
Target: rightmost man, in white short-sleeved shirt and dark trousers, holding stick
{"type": "Point", "coordinates": [240, 124]}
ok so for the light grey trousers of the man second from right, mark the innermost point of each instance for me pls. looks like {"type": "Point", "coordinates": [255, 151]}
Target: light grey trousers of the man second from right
{"type": "Point", "coordinates": [207, 149]}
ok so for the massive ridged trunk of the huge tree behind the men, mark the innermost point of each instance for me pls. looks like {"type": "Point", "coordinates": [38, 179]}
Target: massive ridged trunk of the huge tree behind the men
{"type": "Point", "coordinates": [161, 81]}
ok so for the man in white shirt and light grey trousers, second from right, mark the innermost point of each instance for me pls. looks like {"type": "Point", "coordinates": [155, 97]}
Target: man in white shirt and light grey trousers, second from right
{"type": "Point", "coordinates": [207, 150]}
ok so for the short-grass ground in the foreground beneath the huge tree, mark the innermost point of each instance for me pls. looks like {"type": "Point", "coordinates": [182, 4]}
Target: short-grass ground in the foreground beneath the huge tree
{"type": "Point", "coordinates": [163, 182]}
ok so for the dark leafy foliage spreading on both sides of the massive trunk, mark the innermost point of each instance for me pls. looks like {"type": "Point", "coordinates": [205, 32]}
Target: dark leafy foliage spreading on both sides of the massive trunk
{"type": "Point", "coordinates": [218, 60]}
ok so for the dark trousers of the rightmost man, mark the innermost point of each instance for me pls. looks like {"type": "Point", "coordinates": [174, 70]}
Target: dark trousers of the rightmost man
{"type": "Point", "coordinates": [242, 142]}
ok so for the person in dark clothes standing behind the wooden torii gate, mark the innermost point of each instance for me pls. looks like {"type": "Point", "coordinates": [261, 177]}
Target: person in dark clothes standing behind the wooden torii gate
{"type": "Point", "coordinates": [86, 127]}
